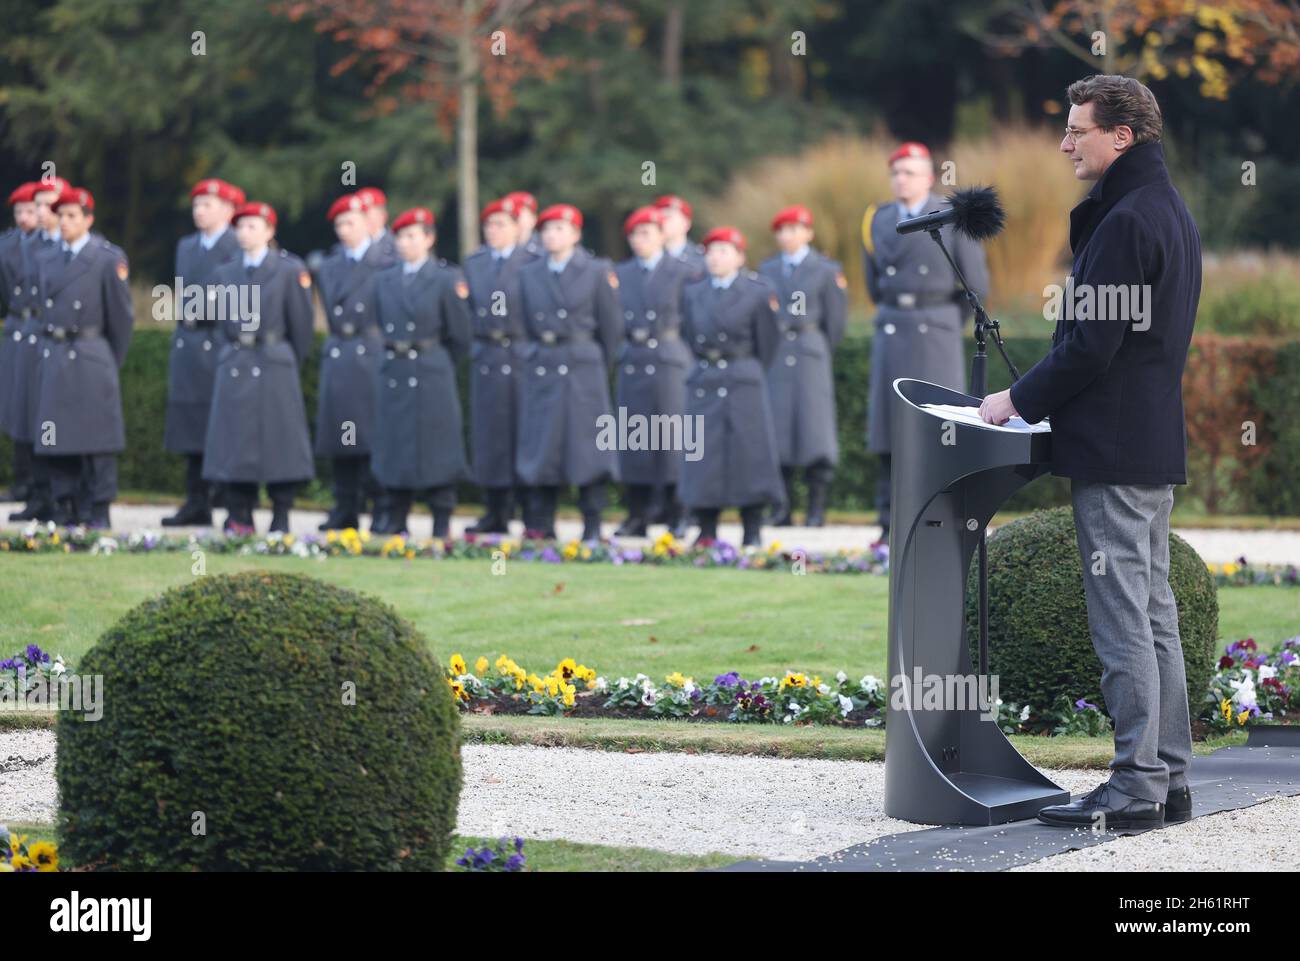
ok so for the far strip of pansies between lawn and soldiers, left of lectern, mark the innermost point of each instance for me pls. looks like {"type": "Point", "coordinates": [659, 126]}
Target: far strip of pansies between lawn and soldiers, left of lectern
{"type": "Point", "coordinates": [666, 551]}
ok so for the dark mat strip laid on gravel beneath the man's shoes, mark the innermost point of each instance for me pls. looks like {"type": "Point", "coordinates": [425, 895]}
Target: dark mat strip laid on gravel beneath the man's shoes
{"type": "Point", "coordinates": [1228, 780]}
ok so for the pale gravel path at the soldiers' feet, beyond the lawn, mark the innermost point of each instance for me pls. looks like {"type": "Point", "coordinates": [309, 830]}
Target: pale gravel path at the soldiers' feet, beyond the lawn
{"type": "Point", "coordinates": [1216, 547]}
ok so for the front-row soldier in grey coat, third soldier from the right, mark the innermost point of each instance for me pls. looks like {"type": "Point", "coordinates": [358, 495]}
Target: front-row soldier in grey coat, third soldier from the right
{"type": "Point", "coordinates": [729, 321]}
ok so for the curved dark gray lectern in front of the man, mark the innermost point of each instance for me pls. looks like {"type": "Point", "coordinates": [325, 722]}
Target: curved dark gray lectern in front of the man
{"type": "Point", "coordinates": [950, 767]}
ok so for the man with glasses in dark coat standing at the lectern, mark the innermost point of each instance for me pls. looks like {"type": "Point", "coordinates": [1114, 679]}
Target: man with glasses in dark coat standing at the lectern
{"type": "Point", "coordinates": [1112, 387]}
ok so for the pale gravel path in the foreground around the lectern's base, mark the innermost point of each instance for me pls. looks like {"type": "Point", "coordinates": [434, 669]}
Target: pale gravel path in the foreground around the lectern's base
{"type": "Point", "coordinates": [747, 807]}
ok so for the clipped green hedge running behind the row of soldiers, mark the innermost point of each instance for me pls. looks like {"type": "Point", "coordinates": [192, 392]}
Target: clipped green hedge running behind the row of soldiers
{"type": "Point", "coordinates": [146, 466]}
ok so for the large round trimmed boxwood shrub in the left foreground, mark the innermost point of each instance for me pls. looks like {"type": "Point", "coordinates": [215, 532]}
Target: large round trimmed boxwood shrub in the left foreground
{"type": "Point", "coordinates": [227, 708]}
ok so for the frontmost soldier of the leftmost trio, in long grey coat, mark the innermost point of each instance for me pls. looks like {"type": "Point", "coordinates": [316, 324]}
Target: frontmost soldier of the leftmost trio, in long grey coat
{"type": "Point", "coordinates": [79, 404]}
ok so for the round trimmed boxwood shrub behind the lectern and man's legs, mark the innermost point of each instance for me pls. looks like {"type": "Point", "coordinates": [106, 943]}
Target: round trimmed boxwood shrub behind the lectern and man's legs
{"type": "Point", "coordinates": [1038, 616]}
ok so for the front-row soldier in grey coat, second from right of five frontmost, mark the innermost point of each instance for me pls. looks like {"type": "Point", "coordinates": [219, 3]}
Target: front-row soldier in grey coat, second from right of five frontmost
{"type": "Point", "coordinates": [571, 313]}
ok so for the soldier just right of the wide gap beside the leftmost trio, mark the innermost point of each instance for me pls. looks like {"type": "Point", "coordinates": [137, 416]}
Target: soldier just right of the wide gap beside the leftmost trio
{"type": "Point", "coordinates": [193, 365]}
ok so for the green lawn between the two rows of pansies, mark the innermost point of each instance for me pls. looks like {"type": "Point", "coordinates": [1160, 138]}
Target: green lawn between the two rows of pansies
{"type": "Point", "coordinates": [703, 622]}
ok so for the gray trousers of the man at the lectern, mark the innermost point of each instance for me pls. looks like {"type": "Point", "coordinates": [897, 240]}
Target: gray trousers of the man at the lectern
{"type": "Point", "coordinates": [1124, 544]}
